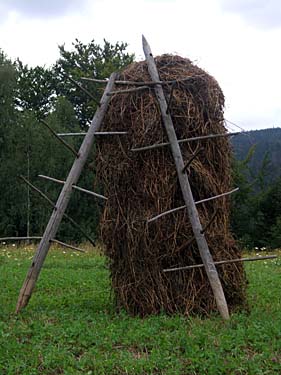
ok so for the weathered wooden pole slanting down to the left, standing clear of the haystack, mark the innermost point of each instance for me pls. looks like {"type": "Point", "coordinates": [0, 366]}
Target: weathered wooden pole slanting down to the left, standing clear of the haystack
{"type": "Point", "coordinates": [62, 202]}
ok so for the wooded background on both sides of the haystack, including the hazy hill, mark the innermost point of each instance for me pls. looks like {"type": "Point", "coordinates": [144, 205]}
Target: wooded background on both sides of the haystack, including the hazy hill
{"type": "Point", "coordinates": [32, 96]}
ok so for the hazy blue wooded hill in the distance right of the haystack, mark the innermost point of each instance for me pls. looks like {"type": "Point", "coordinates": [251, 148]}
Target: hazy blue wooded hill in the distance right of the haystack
{"type": "Point", "coordinates": [267, 141]}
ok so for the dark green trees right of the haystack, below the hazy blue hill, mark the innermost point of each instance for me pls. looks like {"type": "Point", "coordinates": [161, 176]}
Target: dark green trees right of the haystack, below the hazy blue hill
{"type": "Point", "coordinates": [256, 208]}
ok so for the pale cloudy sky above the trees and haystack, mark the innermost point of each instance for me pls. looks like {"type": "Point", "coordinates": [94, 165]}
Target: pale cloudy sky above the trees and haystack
{"type": "Point", "coordinates": [236, 41]}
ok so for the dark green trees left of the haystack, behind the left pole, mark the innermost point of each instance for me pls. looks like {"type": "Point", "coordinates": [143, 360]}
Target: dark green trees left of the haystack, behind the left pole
{"type": "Point", "coordinates": [29, 95]}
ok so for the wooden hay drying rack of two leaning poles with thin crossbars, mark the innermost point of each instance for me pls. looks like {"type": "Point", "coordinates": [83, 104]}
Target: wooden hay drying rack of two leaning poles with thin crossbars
{"type": "Point", "coordinates": [80, 159]}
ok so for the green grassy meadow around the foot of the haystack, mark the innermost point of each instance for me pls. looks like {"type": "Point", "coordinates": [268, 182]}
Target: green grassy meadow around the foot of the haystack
{"type": "Point", "coordinates": [70, 326]}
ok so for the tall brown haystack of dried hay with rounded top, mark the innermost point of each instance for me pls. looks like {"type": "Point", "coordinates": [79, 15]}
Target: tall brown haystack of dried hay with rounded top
{"type": "Point", "coordinates": [140, 185]}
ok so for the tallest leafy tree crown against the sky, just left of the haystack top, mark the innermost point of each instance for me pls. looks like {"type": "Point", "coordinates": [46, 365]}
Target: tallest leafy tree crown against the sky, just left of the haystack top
{"type": "Point", "coordinates": [88, 60]}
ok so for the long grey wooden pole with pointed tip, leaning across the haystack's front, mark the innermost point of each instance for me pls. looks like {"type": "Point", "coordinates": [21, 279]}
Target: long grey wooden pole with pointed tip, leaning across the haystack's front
{"type": "Point", "coordinates": [185, 187]}
